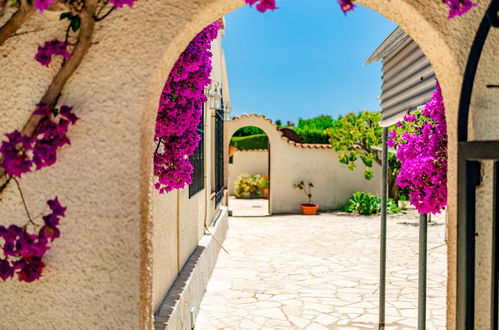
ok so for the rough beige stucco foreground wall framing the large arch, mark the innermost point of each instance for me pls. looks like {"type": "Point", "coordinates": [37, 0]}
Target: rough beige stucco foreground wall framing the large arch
{"type": "Point", "coordinates": [99, 274]}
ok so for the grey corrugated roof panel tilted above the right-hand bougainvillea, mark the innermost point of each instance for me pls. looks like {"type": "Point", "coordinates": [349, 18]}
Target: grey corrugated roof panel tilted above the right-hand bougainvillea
{"type": "Point", "coordinates": [408, 78]}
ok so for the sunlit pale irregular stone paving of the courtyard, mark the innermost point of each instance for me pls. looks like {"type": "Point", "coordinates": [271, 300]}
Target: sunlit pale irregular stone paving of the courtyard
{"type": "Point", "coordinates": [321, 272]}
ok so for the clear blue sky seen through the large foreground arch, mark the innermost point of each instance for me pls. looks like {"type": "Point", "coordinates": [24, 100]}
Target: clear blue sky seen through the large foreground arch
{"type": "Point", "coordinates": [304, 59]}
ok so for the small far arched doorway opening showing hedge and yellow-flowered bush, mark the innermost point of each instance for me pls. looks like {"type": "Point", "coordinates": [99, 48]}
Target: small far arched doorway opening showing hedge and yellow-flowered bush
{"type": "Point", "coordinates": [249, 172]}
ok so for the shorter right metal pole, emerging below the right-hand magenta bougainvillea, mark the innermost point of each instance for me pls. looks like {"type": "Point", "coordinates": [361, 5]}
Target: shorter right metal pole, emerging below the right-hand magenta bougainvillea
{"type": "Point", "coordinates": [423, 241]}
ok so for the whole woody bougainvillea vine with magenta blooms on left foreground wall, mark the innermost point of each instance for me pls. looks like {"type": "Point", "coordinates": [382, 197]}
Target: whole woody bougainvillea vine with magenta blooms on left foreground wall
{"type": "Point", "coordinates": [22, 250]}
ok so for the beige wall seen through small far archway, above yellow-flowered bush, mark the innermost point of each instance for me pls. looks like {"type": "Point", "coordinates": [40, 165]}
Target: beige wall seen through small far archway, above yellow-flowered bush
{"type": "Point", "coordinates": [247, 162]}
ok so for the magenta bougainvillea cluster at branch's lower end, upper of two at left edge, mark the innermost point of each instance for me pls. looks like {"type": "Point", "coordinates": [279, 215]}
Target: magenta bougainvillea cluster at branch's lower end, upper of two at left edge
{"type": "Point", "coordinates": [19, 152]}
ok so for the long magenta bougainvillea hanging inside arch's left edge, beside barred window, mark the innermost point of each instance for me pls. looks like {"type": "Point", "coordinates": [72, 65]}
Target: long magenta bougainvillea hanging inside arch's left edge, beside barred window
{"type": "Point", "coordinates": [180, 110]}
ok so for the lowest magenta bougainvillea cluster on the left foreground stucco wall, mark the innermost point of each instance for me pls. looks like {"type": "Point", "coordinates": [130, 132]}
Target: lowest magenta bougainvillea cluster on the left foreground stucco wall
{"type": "Point", "coordinates": [23, 252]}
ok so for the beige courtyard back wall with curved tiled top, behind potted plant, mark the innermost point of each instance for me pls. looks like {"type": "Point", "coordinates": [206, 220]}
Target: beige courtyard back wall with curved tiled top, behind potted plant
{"type": "Point", "coordinates": [291, 163]}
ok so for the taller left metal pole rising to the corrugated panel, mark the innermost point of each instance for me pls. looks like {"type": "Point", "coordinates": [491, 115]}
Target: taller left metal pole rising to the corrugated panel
{"type": "Point", "coordinates": [382, 263]}
